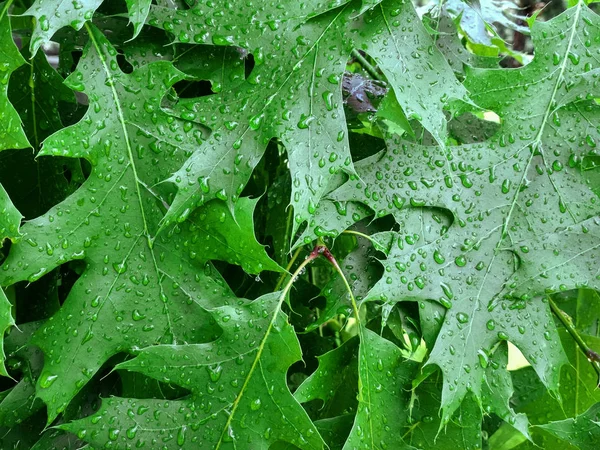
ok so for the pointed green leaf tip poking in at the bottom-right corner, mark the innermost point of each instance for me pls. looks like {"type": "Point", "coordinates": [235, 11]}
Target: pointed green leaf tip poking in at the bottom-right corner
{"type": "Point", "coordinates": [582, 431]}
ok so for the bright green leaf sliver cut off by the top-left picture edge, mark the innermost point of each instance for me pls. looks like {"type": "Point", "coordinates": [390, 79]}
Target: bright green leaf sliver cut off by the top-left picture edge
{"type": "Point", "coordinates": [11, 132]}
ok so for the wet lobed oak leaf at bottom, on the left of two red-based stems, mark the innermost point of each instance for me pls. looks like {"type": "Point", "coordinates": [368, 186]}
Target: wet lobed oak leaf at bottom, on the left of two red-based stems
{"type": "Point", "coordinates": [239, 396]}
